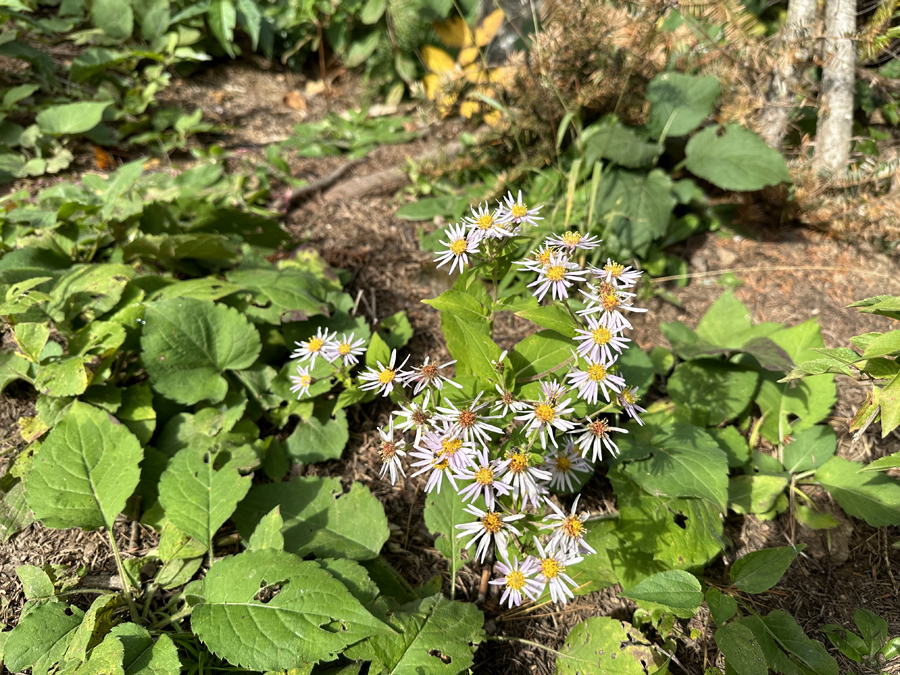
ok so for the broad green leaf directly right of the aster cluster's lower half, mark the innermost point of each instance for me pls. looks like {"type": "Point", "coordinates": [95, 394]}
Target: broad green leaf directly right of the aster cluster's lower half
{"type": "Point", "coordinates": [681, 461]}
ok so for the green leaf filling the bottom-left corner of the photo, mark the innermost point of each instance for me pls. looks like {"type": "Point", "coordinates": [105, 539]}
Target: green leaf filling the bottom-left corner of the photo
{"type": "Point", "coordinates": [44, 633]}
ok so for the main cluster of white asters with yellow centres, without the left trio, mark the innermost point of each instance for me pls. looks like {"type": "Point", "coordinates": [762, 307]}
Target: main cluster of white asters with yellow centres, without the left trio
{"type": "Point", "coordinates": [503, 452]}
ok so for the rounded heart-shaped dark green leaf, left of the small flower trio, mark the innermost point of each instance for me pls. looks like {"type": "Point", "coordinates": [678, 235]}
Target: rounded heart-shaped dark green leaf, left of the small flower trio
{"type": "Point", "coordinates": [188, 344]}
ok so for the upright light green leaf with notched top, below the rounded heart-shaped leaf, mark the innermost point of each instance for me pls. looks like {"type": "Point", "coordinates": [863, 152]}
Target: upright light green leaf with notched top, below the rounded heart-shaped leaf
{"type": "Point", "coordinates": [200, 490]}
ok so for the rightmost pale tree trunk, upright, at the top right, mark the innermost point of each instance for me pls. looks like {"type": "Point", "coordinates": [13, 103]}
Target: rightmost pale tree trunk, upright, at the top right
{"type": "Point", "coordinates": [835, 127]}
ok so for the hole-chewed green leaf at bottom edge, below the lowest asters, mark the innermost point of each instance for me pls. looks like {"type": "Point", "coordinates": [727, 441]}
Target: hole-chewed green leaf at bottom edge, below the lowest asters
{"type": "Point", "coordinates": [433, 635]}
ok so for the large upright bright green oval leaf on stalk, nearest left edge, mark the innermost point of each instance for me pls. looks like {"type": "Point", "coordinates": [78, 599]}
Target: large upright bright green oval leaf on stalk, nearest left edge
{"type": "Point", "coordinates": [85, 471]}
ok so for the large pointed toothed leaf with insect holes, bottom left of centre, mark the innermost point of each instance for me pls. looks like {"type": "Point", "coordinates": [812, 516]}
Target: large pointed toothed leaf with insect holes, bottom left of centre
{"type": "Point", "coordinates": [248, 629]}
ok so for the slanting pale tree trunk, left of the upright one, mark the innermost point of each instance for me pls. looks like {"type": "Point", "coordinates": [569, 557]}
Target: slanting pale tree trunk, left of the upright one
{"type": "Point", "coordinates": [794, 43]}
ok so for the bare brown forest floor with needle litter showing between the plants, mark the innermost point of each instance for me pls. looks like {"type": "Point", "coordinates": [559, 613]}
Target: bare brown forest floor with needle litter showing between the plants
{"type": "Point", "coordinates": [789, 275]}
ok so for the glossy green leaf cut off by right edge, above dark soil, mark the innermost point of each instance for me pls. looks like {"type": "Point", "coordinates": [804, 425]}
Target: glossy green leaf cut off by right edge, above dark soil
{"type": "Point", "coordinates": [873, 497]}
